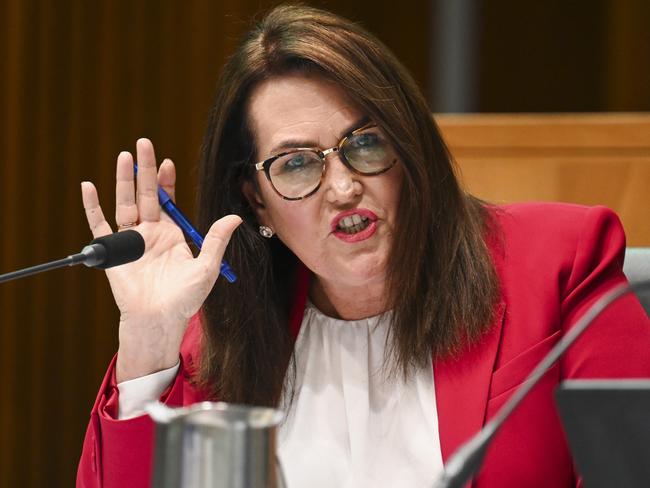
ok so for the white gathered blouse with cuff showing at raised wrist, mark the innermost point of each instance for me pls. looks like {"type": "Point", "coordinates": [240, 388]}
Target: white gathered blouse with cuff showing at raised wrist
{"type": "Point", "coordinates": [350, 423]}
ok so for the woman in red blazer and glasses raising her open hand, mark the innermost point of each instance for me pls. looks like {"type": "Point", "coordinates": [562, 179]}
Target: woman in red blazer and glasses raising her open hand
{"type": "Point", "coordinates": [387, 311]}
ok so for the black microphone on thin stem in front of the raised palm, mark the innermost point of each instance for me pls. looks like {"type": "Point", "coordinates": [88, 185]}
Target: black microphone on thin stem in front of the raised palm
{"type": "Point", "coordinates": [103, 252]}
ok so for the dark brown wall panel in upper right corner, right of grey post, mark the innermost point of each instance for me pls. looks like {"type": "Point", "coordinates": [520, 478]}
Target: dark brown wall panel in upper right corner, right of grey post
{"type": "Point", "coordinates": [559, 56]}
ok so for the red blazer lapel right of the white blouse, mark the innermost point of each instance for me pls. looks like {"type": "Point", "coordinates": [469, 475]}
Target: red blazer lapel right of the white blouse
{"type": "Point", "coordinates": [462, 385]}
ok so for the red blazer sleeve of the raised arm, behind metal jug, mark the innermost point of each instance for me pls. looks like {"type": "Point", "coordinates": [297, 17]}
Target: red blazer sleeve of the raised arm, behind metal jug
{"type": "Point", "coordinates": [119, 453]}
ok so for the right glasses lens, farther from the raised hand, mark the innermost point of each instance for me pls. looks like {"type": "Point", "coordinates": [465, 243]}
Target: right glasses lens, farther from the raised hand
{"type": "Point", "coordinates": [368, 151]}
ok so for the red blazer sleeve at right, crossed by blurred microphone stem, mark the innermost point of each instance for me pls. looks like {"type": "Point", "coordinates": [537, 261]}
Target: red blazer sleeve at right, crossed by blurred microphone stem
{"type": "Point", "coordinates": [616, 345]}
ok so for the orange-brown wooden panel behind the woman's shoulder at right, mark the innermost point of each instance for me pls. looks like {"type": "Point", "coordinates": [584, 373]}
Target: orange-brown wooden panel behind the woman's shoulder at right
{"type": "Point", "coordinates": [592, 159]}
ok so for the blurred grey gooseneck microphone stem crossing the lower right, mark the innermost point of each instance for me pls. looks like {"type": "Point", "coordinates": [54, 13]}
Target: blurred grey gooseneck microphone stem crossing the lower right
{"type": "Point", "coordinates": [468, 458]}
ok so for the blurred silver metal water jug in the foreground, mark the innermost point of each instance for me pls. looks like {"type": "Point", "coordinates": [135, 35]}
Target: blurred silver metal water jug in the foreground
{"type": "Point", "coordinates": [215, 445]}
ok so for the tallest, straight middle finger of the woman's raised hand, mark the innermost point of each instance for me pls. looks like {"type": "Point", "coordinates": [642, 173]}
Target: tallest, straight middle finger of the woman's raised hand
{"type": "Point", "coordinates": [147, 187]}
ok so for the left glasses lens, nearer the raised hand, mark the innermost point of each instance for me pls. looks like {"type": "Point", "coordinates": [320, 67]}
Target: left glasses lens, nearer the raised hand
{"type": "Point", "coordinates": [295, 175]}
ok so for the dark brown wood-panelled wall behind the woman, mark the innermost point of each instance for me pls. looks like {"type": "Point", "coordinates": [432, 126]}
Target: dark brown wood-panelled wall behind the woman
{"type": "Point", "coordinates": [82, 80]}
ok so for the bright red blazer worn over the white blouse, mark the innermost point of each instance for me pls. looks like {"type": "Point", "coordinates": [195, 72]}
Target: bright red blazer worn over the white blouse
{"type": "Point", "coordinates": [553, 261]}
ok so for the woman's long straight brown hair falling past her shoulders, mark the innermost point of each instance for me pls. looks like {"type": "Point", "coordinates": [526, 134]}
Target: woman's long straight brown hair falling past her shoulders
{"type": "Point", "coordinates": [441, 280]}
